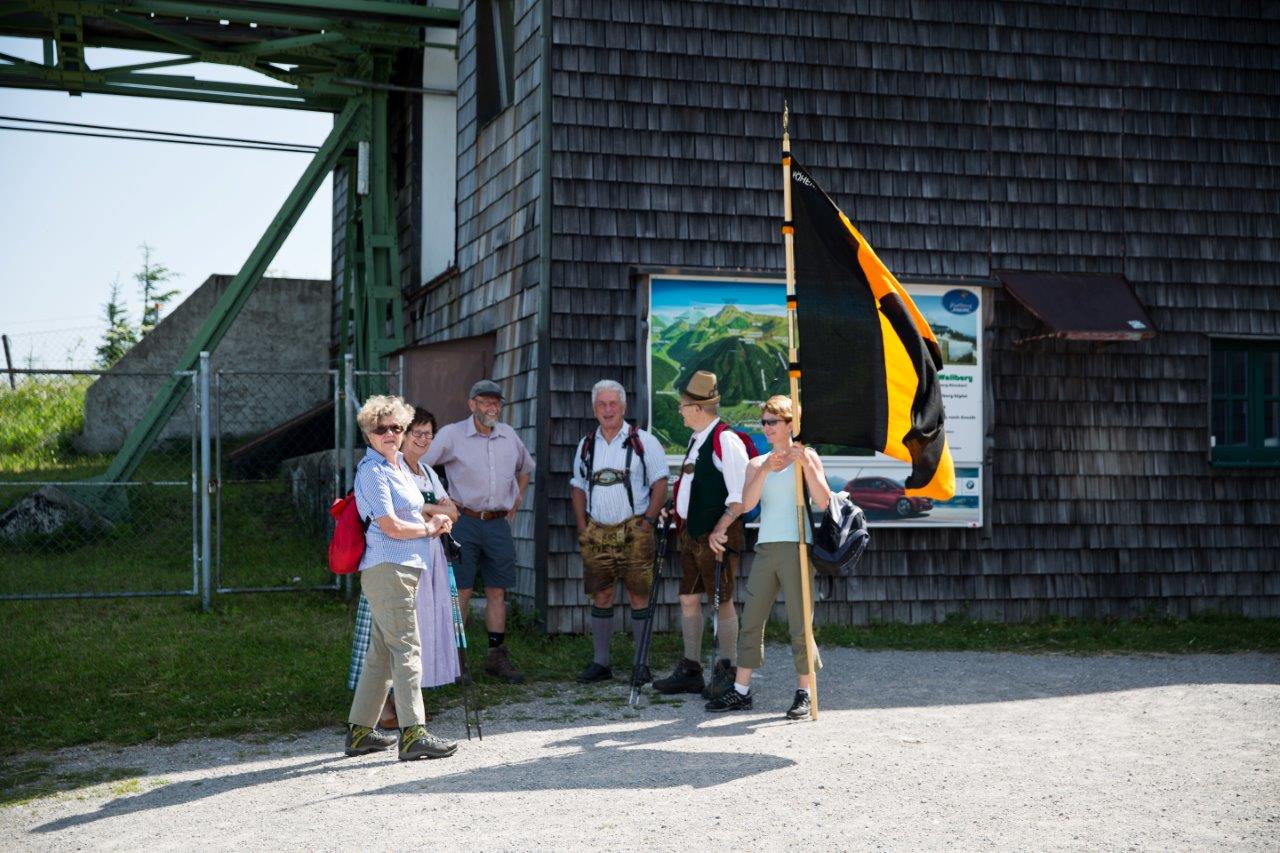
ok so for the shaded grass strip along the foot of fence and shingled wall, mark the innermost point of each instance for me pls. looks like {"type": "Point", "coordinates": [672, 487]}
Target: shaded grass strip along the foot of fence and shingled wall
{"type": "Point", "coordinates": [136, 670]}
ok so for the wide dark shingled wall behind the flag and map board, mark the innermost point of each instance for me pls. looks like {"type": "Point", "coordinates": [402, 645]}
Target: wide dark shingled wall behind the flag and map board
{"type": "Point", "coordinates": [1116, 136]}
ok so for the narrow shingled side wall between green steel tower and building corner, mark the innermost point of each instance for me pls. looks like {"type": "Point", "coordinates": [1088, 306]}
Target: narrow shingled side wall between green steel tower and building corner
{"type": "Point", "coordinates": [496, 289]}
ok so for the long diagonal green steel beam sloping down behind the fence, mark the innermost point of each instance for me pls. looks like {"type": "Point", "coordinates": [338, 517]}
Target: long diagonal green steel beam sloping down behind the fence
{"type": "Point", "coordinates": [225, 313]}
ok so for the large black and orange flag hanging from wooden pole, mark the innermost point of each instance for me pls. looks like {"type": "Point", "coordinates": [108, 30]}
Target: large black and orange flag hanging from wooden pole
{"type": "Point", "coordinates": [871, 362]}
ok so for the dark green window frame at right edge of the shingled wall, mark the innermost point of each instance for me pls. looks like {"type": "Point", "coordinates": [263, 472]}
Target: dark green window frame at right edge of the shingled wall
{"type": "Point", "coordinates": [1252, 454]}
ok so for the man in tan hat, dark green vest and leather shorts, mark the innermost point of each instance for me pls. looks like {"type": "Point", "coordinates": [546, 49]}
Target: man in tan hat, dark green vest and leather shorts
{"type": "Point", "coordinates": [708, 508]}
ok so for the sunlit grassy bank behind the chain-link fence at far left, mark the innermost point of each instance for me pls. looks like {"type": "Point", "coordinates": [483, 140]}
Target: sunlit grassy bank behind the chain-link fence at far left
{"type": "Point", "coordinates": [39, 421]}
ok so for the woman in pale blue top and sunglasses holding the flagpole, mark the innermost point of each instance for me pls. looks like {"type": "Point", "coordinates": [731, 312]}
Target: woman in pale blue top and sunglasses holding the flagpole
{"type": "Point", "coordinates": [771, 482]}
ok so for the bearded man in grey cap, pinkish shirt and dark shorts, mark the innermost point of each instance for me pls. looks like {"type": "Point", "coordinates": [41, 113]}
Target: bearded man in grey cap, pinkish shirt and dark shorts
{"type": "Point", "coordinates": [490, 471]}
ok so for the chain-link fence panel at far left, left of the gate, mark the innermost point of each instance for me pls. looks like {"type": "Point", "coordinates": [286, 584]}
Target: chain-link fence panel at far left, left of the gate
{"type": "Point", "coordinates": [66, 528]}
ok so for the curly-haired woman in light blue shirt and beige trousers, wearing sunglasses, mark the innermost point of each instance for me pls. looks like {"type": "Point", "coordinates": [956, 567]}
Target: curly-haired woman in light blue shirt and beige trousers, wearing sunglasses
{"type": "Point", "coordinates": [400, 544]}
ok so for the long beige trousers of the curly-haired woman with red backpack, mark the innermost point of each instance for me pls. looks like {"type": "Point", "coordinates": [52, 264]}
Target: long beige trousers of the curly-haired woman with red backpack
{"type": "Point", "coordinates": [395, 647]}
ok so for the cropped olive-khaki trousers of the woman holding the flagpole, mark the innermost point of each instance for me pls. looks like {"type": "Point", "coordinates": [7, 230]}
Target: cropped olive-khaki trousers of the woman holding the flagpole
{"type": "Point", "coordinates": [776, 565]}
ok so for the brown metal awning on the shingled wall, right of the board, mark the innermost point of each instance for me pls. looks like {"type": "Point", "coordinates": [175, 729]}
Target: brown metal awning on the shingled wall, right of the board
{"type": "Point", "coordinates": [1081, 308]}
